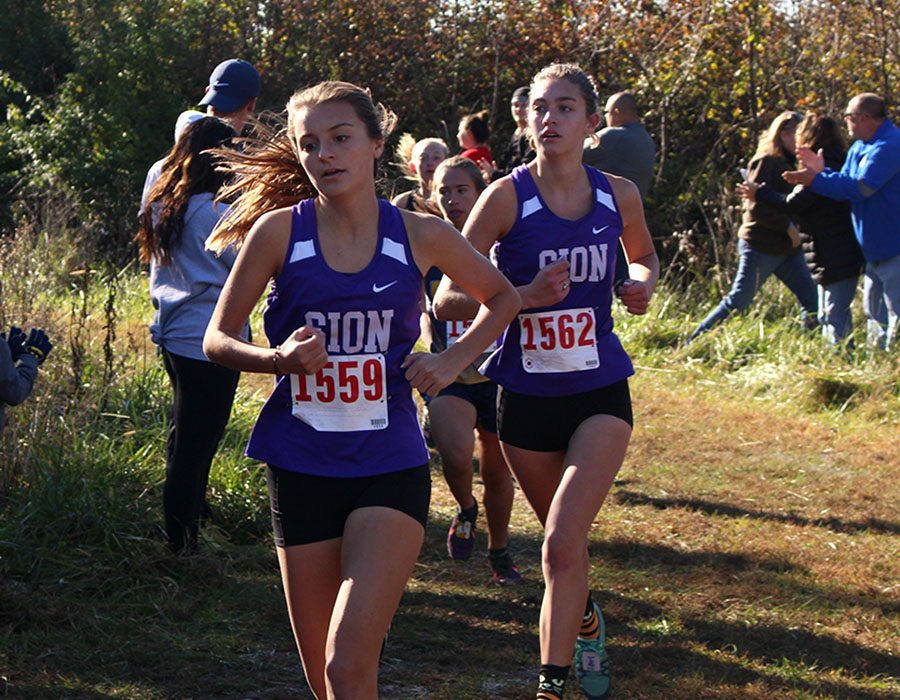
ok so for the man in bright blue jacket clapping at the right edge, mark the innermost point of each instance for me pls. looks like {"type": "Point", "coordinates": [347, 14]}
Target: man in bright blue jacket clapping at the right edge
{"type": "Point", "coordinates": [870, 179]}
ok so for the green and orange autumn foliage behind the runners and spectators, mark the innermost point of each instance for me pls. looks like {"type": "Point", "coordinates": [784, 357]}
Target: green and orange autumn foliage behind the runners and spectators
{"type": "Point", "coordinates": [91, 88]}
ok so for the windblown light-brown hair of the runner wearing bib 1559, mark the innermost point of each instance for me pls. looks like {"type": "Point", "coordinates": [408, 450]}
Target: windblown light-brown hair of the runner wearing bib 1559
{"type": "Point", "coordinates": [267, 174]}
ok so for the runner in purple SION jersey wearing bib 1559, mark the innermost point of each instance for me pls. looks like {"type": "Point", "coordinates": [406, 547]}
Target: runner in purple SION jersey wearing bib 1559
{"type": "Point", "coordinates": [347, 480]}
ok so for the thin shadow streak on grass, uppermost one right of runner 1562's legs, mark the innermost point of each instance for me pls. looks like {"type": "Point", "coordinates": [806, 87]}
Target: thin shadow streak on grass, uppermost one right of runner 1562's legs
{"type": "Point", "coordinates": [718, 508]}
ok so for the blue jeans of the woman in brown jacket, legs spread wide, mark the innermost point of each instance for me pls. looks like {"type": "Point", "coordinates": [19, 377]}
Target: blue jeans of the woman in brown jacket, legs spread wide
{"type": "Point", "coordinates": [754, 269]}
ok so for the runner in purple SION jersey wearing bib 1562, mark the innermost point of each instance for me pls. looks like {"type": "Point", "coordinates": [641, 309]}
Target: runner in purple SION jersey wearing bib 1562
{"type": "Point", "coordinates": [564, 411]}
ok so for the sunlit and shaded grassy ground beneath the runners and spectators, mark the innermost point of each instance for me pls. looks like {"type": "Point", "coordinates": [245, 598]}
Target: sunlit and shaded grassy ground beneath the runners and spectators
{"type": "Point", "coordinates": [750, 547]}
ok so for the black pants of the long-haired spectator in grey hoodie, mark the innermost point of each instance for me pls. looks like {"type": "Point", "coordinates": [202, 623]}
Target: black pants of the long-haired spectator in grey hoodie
{"type": "Point", "coordinates": [202, 394]}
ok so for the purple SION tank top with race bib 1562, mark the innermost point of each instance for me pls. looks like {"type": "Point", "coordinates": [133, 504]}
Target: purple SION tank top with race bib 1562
{"type": "Point", "coordinates": [569, 347]}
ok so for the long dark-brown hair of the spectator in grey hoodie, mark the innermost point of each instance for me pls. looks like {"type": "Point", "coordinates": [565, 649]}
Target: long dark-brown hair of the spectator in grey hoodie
{"type": "Point", "coordinates": [188, 169]}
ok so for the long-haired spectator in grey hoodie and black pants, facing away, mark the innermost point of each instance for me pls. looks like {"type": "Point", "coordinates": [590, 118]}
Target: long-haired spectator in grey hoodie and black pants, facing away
{"type": "Point", "coordinates": [185, 282]}
